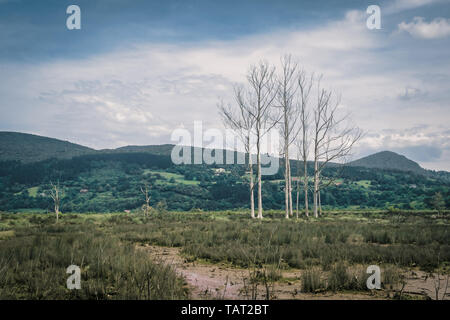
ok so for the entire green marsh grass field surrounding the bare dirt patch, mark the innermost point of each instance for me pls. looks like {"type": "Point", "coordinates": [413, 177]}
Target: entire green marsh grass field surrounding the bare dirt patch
{"type": "Point", "coordinates": [332, 249]}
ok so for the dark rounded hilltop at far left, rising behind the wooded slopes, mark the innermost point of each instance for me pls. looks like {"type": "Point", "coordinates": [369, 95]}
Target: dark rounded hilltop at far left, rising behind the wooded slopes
{"type": "Point", "coordinates": [31, 148]}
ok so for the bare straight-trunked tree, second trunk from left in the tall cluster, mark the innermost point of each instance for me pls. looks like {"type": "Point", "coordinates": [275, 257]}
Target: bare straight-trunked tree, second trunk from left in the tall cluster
{"type": "Point", "coordinates": [260, 98]}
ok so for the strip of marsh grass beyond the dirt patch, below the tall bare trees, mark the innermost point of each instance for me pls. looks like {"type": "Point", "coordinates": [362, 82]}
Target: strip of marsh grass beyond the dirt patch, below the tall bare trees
{"type": "Point", "coordinates": [358, 239]}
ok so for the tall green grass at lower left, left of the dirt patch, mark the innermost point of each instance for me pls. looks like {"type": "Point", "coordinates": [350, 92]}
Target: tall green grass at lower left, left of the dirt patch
{"type": "Point", "coordinates": [34, 257]}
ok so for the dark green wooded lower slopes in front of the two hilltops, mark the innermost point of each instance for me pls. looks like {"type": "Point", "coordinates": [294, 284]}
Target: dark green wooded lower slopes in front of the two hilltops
{"type": "Point", "coordinates": [105, 183]}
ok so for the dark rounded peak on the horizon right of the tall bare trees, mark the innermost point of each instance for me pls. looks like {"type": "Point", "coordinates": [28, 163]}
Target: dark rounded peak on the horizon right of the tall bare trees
{"type": "Point", "coordinates": [388, 160]}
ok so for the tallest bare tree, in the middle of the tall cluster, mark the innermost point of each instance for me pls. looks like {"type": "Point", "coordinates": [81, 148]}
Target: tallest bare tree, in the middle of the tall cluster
{"type": "Point", "coordinates": [287, 102]}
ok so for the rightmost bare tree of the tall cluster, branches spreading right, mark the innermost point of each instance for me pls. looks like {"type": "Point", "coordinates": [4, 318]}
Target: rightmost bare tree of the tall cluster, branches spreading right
{"type": "Point", "coordinates": [332, 140]}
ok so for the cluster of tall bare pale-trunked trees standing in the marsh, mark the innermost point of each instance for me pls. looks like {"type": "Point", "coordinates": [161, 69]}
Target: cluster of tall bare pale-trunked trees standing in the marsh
{"type": "Point", "coordinates": [307, 117]}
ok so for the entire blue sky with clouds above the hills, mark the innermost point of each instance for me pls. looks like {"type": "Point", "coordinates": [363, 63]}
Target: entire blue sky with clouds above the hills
{"type": "Point", "coordinates": [138, 70]}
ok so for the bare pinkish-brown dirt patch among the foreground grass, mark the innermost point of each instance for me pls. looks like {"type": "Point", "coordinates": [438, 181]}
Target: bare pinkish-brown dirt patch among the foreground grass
{"type": "Point", "coordinates": [218, 281]}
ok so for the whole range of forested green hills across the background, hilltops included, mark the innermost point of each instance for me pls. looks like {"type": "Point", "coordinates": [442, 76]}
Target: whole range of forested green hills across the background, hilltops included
{"type": "Point", "coordinates": [110, 180]}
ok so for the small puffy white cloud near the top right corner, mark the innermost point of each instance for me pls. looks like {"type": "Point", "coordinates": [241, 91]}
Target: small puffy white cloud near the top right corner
{"type": "Point", "coordinates": [438, 28]}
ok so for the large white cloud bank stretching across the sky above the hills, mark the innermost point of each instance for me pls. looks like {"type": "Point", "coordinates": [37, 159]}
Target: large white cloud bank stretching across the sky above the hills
{"type": "Point", "coordinates": [139, 95]}
